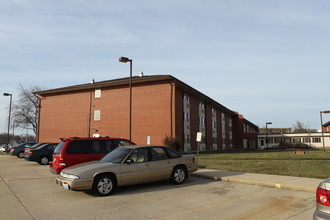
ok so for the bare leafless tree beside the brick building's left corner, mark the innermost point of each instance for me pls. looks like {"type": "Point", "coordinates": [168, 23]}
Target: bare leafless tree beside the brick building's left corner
{"type": "Point", "coordinates": [25, 109]}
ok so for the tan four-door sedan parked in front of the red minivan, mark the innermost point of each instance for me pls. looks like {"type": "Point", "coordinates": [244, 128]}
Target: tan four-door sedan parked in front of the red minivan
{"type": "Point", "coordinates": [126, 166]}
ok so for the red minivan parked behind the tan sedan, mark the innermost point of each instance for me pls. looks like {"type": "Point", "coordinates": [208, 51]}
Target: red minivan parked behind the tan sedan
{"type": "Point", "coordinates": [75, 150]}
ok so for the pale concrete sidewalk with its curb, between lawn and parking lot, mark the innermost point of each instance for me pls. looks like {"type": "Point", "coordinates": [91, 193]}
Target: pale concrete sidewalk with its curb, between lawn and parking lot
{"type": "Point", "coordinates": [277, 181]}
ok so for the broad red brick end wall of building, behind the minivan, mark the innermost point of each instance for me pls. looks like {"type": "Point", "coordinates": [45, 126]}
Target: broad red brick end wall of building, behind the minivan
{"type": "Point", "coordinates": [65, 115]}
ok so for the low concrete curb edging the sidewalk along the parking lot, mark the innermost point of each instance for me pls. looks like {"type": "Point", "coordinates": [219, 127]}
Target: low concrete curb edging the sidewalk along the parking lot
{"type": "Point", "coordinates": [254, 182]}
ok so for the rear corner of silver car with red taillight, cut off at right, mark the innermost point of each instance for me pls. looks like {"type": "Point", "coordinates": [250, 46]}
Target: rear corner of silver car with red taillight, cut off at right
{"type": "Point", "coordinates": [322, 211]}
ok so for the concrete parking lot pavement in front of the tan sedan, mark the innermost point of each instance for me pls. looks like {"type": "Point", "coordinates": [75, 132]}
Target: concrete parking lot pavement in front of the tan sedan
{"type": "Point", "coordinates": [28, 191]}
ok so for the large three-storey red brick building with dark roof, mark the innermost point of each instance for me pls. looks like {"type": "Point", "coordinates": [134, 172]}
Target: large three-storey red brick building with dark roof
{"type": "Point", "coordinates": [162, 106]}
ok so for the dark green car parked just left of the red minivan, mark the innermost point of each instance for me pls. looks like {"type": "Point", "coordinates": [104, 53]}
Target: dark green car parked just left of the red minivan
{"type": "Point", "coordinates": [41, 154]}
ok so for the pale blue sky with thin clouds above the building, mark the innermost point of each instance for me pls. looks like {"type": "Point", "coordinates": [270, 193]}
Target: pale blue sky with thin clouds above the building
{"type": "Point", "coordinates": [268, 60]}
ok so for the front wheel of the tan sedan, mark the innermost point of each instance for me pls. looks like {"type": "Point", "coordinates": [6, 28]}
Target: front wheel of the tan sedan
{"type": "Point", "coordinates": [104, 185]}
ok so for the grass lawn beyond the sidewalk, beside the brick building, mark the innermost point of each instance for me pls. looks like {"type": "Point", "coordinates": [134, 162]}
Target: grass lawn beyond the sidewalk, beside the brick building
{"type": "Point", "coordinates": [313, 164]}
